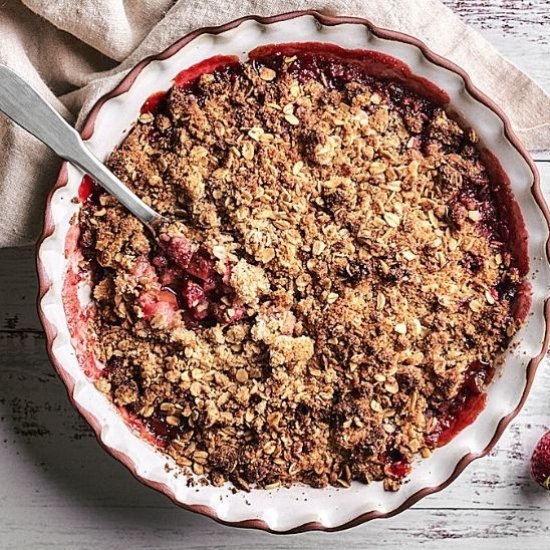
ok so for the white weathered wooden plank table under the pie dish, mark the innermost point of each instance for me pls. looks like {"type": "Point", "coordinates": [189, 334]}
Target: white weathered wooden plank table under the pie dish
{"type": "Point", "coordinates": [59, 489]}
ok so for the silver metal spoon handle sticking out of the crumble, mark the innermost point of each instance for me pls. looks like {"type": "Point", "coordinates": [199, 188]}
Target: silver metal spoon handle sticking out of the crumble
{"type": "Point", "coordinates": [24, 105]}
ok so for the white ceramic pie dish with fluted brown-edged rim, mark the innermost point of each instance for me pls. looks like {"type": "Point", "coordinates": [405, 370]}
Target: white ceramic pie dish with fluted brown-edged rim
{"type": "Point", "coordinates": [299, 508]}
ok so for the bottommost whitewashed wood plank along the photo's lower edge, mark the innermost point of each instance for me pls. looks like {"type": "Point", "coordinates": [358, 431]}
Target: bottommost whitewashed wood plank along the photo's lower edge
{"type": "Point", "coordinates": [76, 526]}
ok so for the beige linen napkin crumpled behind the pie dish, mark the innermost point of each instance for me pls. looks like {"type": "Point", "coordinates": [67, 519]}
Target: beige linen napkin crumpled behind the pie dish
{"type": "Point", "coordinates": [73, 52]}
